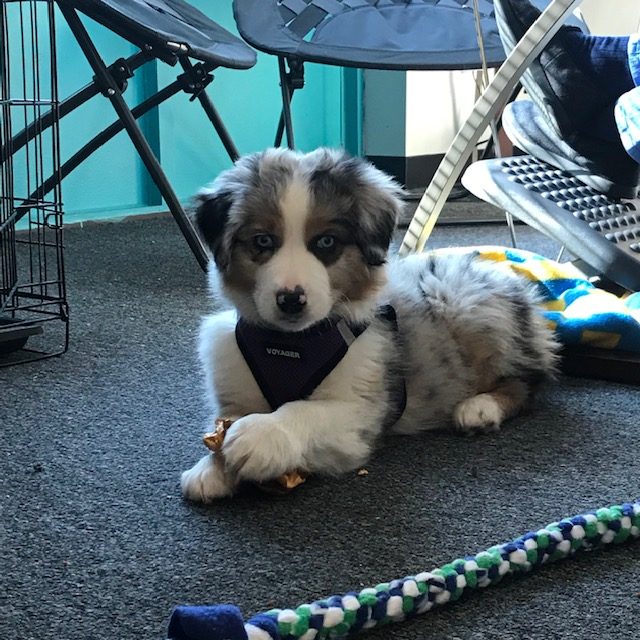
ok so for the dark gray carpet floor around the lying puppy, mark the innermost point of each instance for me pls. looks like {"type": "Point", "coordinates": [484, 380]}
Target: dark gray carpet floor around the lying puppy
{"type": "Point", "coordinates": [97, 543]}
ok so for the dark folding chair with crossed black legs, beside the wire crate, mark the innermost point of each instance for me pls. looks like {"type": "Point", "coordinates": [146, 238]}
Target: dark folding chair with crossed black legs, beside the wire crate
{"type": "Point", "coordinates": [171, 31]}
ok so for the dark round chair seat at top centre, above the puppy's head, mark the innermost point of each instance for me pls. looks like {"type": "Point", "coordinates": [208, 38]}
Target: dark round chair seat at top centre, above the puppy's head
{"type": "Point", "coordinates": [379, 34]}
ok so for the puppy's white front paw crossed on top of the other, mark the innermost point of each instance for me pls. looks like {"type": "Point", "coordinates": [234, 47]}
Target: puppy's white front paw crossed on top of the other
{"type": "Point", "coordinates": [258, 448]}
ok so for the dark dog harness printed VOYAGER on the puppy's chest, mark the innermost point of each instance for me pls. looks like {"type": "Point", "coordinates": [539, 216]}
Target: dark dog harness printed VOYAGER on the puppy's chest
{"type": "Point", "coordinates": [289, 365]}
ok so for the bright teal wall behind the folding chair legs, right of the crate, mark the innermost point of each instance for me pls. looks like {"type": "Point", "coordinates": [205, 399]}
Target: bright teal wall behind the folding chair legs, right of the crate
{"type": "Point", "coordinates": [113, 182]}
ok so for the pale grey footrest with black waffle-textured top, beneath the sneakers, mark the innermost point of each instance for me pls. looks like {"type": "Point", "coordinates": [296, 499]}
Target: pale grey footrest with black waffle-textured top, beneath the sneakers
{"type": "Point", "coordinates": [603, 233]}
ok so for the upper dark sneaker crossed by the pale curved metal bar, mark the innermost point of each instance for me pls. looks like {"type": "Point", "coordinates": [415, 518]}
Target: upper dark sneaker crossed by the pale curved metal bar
{"type": "Point", "coordinates": [553, 80]}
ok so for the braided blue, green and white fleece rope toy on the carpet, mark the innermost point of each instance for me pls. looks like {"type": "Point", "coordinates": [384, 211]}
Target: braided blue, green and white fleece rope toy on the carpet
{"type": "Point", "coordinates": [342, 615]}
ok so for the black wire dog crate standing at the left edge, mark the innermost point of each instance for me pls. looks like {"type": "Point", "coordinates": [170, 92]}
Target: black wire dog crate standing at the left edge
{"type": "Point", "coordinates": [33, 306]}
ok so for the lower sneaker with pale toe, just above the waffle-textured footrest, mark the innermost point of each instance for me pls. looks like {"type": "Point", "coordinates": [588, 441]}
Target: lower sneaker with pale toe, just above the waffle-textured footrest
{"type": "Point", "coordinates": [600, 164]}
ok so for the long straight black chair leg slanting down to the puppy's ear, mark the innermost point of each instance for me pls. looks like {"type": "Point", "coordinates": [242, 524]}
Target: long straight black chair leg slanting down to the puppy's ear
{"type": "Point", "coordinates": [111, 89]}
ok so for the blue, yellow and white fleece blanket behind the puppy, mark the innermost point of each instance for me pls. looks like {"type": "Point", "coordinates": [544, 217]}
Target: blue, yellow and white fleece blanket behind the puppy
{"type": "Point", "coordinates": [580, 313]}
